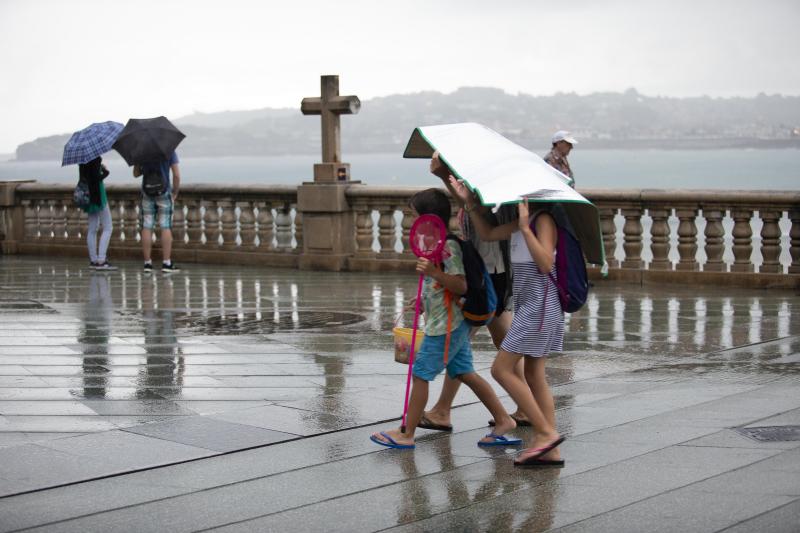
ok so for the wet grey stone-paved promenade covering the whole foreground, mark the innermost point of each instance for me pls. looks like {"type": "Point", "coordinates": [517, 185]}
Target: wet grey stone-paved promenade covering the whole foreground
{"type": "Point", "coordinates": [241, 399]}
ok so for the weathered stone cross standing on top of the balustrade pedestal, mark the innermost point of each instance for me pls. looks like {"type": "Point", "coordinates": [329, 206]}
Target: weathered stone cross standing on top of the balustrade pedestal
{"type": "Point", "coordinates": [330, 105]}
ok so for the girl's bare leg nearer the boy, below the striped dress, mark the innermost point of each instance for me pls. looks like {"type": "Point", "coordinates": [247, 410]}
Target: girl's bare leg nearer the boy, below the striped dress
{"type": "Point", "coordinates": [503, 370]}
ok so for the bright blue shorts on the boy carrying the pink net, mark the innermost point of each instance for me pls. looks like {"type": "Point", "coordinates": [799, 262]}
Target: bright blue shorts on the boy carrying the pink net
{"type": "Point", "coordinates": [429, 362]}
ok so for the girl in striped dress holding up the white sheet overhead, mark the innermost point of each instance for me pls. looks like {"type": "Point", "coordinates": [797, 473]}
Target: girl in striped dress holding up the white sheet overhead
{"type": "Point", "coordinates": [537, 327]}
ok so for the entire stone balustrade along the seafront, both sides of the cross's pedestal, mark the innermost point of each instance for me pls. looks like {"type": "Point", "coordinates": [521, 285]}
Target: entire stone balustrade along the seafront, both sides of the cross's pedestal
{"type": "Point", "coordinates": [749, 238]}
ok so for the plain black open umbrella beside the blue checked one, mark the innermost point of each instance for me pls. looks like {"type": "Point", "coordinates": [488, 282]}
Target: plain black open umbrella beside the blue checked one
{"type": "Point", "coordinates": [145, 140]}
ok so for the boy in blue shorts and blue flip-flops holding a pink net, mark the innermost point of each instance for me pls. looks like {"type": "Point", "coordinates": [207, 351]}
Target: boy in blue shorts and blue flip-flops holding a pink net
{"type": "Point", "coordinates": [442, 286]}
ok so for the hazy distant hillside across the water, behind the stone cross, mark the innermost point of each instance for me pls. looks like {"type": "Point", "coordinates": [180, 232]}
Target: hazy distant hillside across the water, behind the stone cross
{"type": "Point", "coordinates": [600, 120]}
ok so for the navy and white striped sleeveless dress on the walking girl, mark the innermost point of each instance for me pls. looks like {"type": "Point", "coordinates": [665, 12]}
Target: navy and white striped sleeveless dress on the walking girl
{"type": "Point", "coordinates": [538, 325]}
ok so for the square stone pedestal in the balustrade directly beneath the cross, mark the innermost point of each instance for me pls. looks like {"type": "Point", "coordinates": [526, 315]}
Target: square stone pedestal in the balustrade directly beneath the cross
{"type": "Point", "coordinates": [329, 226]}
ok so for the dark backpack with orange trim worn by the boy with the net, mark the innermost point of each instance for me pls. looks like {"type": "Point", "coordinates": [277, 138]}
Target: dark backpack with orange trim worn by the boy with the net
{"type": "Point", "coordinates": [479, 303]}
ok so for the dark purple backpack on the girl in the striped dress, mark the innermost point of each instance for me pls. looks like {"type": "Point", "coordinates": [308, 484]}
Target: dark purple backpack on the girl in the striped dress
{"type": "Point", "coordinates": [571, 279]}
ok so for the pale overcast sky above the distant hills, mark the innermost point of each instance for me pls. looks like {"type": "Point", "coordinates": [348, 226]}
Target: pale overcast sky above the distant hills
{"type": "Point", "coordinates": [67, 63]}
